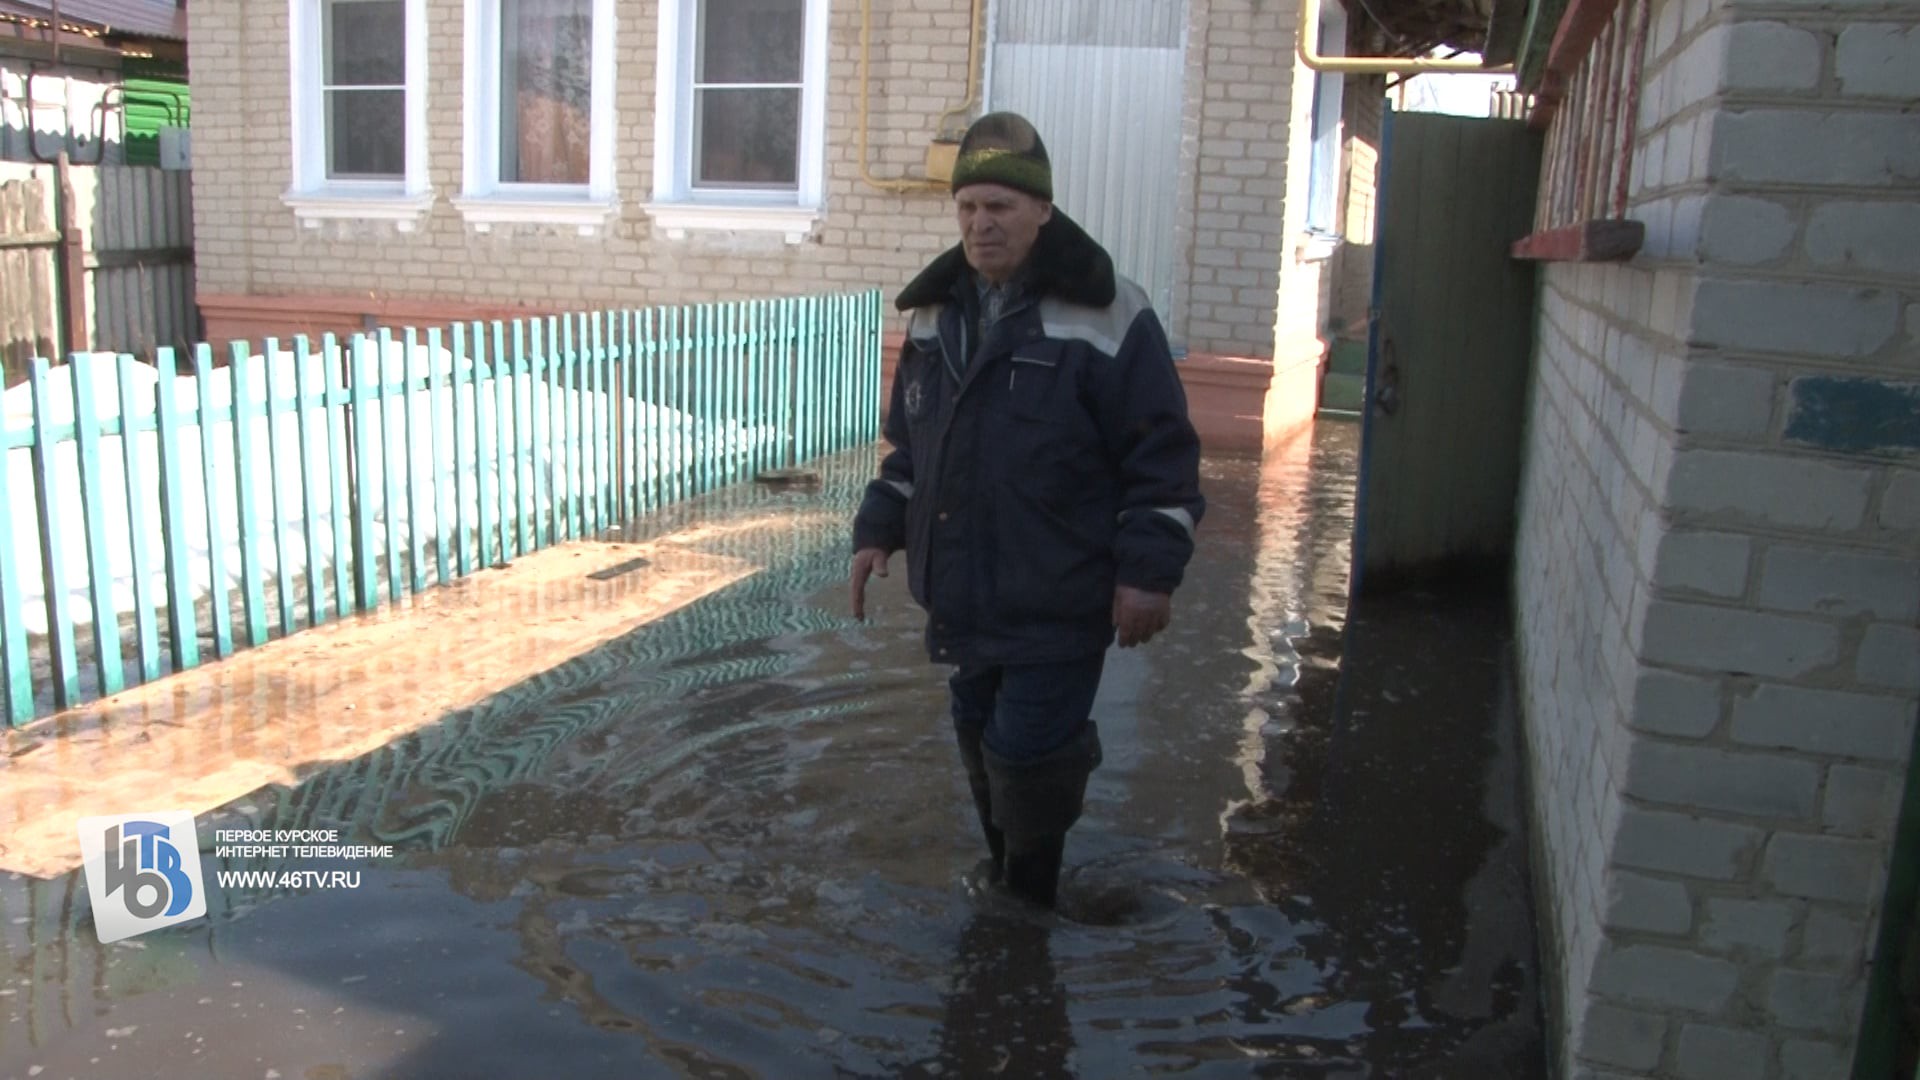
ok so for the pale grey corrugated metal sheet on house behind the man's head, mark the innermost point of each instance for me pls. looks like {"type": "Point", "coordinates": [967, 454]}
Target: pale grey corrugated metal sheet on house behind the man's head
{"type": "Point", "coordinates": [1103, 82]}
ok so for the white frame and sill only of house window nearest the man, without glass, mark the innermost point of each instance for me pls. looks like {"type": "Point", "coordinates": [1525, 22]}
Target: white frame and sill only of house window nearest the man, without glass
{"type": "Point", "coordinates": [677, 205]}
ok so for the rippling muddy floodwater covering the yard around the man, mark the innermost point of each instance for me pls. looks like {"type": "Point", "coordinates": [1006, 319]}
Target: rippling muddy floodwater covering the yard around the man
{"type": "Point", "coordinates": [734, 843]}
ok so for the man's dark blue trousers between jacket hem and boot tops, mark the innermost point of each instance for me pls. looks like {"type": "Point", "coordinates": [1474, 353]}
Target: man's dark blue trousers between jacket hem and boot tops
{"type": "Point", "coordinates": [1024, 710]}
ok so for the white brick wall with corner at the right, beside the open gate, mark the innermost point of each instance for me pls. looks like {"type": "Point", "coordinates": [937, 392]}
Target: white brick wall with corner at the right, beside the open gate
{"type": "Point", "coordinates": [1740, 693]}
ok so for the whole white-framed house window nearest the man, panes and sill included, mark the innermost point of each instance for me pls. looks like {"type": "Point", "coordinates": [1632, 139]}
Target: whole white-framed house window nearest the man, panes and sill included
{"type": "Point", "coordinates": [742, 116]}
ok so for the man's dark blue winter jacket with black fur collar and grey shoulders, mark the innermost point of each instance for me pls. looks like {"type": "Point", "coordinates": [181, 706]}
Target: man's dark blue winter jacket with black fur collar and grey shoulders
{"type": "Point", "coordinates": [1040, 468]}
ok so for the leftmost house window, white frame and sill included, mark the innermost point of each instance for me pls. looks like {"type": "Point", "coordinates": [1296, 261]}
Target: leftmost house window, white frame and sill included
{"type": "Point", "coordinates": [360, 110]}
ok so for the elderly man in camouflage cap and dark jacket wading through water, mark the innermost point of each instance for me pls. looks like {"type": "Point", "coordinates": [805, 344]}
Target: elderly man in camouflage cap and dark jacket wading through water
{"type": "Point", "coordinates": [1044, 483]}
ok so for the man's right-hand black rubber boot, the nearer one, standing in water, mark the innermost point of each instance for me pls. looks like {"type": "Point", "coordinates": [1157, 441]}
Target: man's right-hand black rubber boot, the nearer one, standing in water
{"type": "Point", "coordinates": [1036, 802]}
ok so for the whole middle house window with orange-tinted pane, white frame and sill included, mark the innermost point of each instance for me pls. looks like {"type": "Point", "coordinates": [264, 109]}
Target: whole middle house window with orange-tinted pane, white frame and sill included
{"type": "Point", "coordinates": [539, 112]}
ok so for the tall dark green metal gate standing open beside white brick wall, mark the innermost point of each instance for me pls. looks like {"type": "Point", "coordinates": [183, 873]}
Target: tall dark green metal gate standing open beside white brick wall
{"type": "Point", "coordinates": [1449, 349]}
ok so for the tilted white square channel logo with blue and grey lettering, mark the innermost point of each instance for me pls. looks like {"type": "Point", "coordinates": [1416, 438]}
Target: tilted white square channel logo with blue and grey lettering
{"type": "Point", "coordinates": [143, 871]}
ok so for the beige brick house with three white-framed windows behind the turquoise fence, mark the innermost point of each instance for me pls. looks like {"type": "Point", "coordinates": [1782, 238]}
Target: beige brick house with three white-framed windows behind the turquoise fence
{"type": "Point", "coordinates": [1203, 157]}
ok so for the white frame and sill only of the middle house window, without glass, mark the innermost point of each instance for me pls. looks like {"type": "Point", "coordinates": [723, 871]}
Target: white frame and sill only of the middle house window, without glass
{"type": "Point", "coordinates": [485, 199]}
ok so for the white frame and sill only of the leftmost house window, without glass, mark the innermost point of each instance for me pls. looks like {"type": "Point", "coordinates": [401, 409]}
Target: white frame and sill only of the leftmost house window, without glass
{"type": "Point", "coordinates": [314, 197]}
